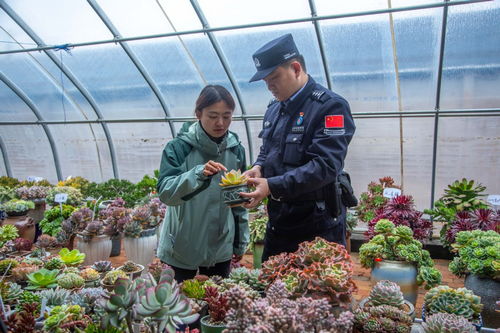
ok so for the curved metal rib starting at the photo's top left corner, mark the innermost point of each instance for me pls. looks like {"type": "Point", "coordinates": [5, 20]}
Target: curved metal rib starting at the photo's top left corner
{"type": "Point", "coordinates": [79, 86]}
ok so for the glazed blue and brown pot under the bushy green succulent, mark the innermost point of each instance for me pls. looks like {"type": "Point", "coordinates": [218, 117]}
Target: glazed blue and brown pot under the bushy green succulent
{"type": "Point", "coordinates": [400, 272]}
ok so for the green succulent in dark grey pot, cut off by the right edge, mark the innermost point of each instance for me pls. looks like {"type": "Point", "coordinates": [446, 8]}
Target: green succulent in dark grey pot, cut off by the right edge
{"type": "Point", "coordinates": [479, 259]}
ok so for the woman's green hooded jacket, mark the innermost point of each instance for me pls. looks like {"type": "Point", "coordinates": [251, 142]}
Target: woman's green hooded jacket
{"type": "Point", "coordinates": [199, 229]}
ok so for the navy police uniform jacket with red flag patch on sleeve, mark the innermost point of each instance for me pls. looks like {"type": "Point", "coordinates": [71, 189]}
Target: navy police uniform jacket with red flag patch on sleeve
{"type": "Point", "coordinates": [304, 146]}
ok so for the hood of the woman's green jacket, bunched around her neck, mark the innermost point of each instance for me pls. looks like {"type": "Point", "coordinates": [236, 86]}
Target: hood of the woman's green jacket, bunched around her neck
{"type": "Point", "coordinates": [192, 133]}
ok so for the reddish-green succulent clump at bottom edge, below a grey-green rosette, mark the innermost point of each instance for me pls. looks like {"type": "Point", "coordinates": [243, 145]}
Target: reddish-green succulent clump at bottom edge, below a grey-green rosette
{"type": "Point", "coordinates": [383, 319]}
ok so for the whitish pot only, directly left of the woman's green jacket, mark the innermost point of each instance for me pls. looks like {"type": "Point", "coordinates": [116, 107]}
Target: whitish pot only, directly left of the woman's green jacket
{"type": "Point", "coordinates": [141, 250]}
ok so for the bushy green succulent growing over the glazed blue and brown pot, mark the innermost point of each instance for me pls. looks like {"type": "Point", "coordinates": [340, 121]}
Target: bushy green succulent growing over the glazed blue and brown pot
{"type": "Point", "coordinates": [397, 243]}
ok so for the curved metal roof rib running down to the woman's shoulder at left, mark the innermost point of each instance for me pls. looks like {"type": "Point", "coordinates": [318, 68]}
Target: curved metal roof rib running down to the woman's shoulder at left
{"type": "Point", "coordinates": [135, 60]}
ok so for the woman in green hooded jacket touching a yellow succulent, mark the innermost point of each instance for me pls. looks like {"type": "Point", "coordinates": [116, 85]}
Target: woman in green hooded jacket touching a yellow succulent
{"type": "Point", "coordinates": [200, 232]}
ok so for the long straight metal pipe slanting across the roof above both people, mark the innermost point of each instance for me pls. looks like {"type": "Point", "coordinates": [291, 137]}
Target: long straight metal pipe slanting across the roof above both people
{"type": "Point", "coordinates": [254, 25]}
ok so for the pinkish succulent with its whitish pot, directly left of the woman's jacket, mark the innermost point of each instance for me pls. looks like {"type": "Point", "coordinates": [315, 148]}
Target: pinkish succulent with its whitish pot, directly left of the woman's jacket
{"type": "Point", "coordinates": [139, 233]}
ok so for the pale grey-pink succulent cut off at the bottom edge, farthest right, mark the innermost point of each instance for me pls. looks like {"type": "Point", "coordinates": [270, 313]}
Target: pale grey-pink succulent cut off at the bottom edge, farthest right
{"type": "Point", "coordinates": [447, 323]}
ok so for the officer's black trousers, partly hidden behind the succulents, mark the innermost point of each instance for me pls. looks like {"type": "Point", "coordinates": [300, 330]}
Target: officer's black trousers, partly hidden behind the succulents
{"type": "Point", "coordinates": [277, 241]}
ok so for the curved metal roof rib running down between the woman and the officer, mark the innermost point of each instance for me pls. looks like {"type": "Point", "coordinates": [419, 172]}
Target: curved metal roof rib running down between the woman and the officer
{"type": "Point", "coordinates": [229, 73]}
